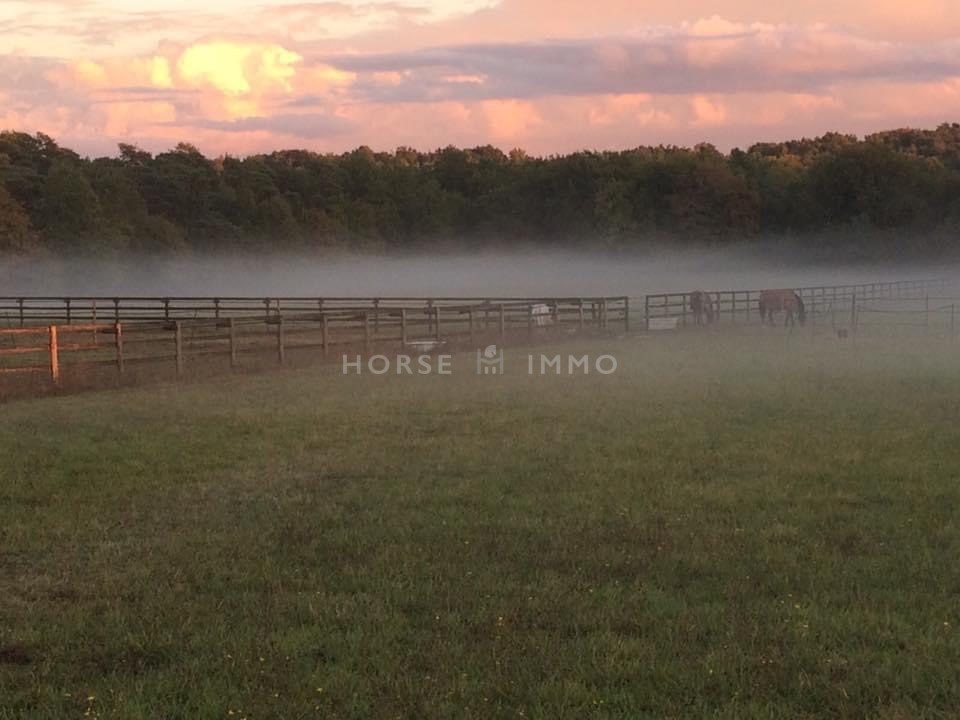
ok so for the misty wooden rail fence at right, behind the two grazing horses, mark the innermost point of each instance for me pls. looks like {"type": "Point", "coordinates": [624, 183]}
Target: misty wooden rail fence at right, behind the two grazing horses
{"type": "Point", "coordinates": [736, 306]}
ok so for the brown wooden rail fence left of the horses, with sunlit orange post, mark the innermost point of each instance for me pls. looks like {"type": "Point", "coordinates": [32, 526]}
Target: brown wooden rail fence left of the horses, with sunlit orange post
{"type": "Point", "coordinates": [70, 345]}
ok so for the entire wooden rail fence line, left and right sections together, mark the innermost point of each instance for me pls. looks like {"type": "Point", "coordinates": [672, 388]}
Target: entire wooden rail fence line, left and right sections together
{"type": "Point", "coordinates": [50, 336]}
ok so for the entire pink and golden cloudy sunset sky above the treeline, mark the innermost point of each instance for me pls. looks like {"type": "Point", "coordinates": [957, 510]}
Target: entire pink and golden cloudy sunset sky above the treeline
{"type": "Point", "coordinates": [549, 76]}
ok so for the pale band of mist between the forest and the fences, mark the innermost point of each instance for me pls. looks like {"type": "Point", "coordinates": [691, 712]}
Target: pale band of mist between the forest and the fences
{"type": "Point", "coordinates": [523, 273]}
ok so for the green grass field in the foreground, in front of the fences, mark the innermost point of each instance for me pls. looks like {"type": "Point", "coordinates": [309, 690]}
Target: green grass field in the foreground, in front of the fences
{"type": "Point", "coordinates": [732, 526]}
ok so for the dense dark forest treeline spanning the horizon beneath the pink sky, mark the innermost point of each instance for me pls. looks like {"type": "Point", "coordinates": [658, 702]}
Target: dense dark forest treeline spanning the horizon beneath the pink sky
{"type": "Point", "coordinates": [903, 184]}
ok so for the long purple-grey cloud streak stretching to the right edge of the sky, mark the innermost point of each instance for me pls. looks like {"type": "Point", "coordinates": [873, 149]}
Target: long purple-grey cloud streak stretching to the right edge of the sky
{"type": "Point", "coordinates": [710, 56]}
